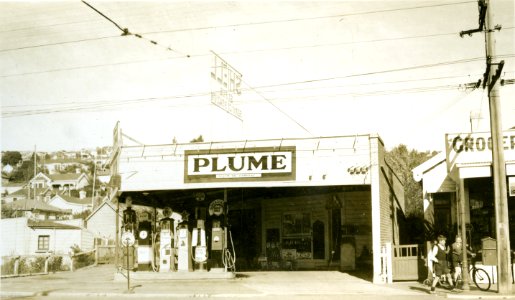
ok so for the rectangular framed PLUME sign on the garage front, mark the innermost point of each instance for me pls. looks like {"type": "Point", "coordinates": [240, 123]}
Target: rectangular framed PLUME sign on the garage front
{"type": "Point", "coordinates": [252, 164]}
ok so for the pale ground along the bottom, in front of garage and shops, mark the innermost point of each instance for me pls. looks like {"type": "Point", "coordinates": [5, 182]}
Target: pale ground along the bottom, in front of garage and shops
{"type": "Point", "coordinates": [99, 282]}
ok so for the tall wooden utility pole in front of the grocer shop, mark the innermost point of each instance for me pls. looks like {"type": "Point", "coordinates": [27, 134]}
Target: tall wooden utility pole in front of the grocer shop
{"type": "Point", "coordinates": [499, 171]}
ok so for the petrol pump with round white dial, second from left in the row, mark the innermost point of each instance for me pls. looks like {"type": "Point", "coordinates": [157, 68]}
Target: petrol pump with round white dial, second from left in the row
{"type": "Point", "coordinates": [144, 243]}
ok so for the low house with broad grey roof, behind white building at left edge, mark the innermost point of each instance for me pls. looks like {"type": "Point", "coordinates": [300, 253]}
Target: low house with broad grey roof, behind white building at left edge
{"type": "Point", "coordinates": [37, 210]}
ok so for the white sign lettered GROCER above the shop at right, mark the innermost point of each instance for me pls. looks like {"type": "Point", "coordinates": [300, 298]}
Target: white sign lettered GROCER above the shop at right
{"type": "Point", "coordinates": [476, 147]}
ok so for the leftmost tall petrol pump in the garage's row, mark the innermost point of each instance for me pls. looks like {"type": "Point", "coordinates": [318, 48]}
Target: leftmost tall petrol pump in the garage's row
{"type": "Point", "coordinates": [129, 225]}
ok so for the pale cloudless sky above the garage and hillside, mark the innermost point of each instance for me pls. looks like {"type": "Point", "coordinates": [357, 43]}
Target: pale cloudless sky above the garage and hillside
{"type": "Point", "coordinates": [308, 69]}
